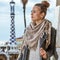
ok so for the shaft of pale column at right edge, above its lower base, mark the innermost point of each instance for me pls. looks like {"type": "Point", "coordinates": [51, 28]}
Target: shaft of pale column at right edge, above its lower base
{"type": "Point", "coordinates": [57, 14]}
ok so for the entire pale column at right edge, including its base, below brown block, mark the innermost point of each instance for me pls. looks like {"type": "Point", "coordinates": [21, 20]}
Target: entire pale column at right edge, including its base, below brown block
{"type": "Point", "coordinates": [57, 15]}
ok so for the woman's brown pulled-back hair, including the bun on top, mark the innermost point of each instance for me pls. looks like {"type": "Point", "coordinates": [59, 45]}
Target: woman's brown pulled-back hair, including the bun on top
{"type": "Point", "coordinates": [43, 5]}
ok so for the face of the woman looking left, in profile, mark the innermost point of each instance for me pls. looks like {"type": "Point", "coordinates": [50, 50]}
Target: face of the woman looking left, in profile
{"type": "Point", "coordinates": [35, 14]}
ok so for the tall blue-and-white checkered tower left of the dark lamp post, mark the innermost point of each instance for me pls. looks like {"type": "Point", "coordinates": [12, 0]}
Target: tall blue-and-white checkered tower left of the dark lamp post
{"type": "Point", "coordinates": [12, 36]}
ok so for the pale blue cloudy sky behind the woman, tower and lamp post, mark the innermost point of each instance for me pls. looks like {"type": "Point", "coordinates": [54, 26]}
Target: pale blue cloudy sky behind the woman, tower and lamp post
{"type": "Point", "coordinates": [19, 21]}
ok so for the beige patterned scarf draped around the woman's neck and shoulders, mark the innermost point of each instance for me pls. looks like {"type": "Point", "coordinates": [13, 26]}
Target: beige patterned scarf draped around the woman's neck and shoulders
{"type": "Point", "coordinates": [34, 32]}
